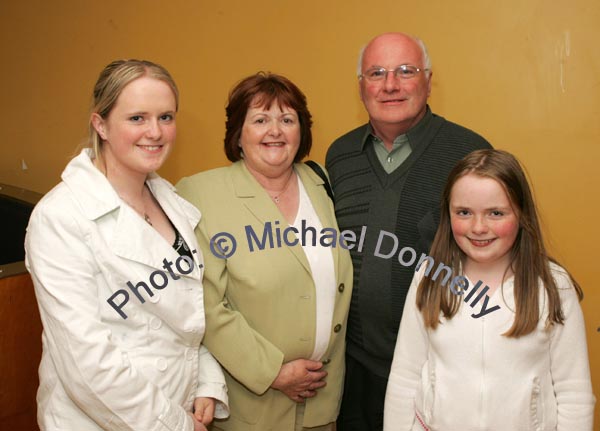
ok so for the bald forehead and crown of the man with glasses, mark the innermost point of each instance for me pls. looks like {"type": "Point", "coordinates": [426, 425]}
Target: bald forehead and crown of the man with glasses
{"type": "Point", "coordinates": [391, 50]}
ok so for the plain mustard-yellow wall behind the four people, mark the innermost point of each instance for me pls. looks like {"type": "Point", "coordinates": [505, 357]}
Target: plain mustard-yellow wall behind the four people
{"type": "Point", "coordinates": [525, 74]}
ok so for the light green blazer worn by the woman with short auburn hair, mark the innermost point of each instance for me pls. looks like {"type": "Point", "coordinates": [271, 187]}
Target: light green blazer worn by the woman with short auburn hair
{"type": "Point", "coordinates": [260, 305]}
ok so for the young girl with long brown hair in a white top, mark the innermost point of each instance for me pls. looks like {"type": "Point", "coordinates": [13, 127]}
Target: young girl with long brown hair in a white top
{"type": "Point", "coordinates": [522, 367]}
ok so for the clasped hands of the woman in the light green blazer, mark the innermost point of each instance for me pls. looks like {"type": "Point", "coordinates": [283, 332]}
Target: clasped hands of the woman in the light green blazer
{"type": "Point", "coordinates": [300, 379]}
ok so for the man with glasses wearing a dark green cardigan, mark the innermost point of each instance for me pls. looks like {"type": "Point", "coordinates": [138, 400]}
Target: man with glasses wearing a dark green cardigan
{"type": "Point", "coordinates": [388, 175]}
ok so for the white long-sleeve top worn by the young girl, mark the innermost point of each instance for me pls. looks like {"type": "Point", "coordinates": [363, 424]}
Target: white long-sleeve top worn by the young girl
{"type": "Point", "coordinates": [466, 376]}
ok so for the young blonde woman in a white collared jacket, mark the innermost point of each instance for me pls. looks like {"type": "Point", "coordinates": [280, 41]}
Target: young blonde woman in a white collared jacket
{"type": "Point", "coordinates": [118, 274]}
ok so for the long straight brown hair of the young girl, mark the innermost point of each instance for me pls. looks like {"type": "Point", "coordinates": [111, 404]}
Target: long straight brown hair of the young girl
{"type": "Point", "coordinates": [530, 261]}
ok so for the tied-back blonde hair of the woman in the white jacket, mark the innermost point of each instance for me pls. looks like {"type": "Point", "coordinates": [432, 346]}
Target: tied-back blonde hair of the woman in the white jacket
{"type": "Point", "coordinates": [111, 82]}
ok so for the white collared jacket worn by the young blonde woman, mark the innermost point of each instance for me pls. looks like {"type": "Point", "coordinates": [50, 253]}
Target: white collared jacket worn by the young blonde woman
{"type": "Point", "coordinates": [98, 369]}
